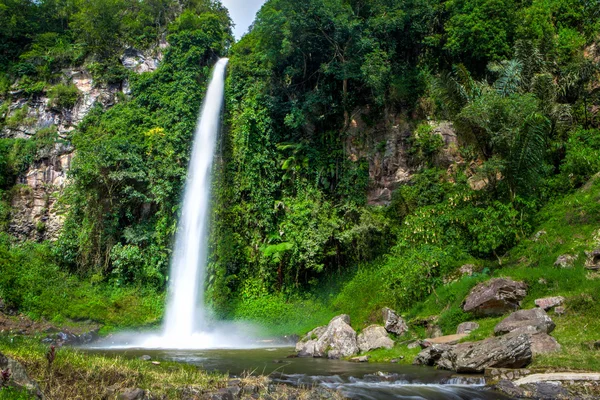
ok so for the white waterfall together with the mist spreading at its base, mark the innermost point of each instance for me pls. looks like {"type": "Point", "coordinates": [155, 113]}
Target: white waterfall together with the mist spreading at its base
{"type": "Point", "coordinates": [186, 323]}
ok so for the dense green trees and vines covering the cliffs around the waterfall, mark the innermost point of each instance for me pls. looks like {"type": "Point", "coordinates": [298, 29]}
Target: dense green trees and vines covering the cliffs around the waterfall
{"type": "Point", "coordinates": [312, 89]}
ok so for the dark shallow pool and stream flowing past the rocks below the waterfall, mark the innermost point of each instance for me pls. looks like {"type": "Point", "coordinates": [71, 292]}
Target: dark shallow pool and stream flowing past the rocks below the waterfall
{"type": "Point", "coordinates": [375, 381]}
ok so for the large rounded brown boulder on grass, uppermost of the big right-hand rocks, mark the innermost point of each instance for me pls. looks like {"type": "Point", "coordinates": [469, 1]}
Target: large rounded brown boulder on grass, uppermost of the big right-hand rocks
{"type": "Point", "coordinates": [495, 297]}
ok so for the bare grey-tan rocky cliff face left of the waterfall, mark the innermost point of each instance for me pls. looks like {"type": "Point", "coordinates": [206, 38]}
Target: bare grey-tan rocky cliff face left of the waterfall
{"type": "Point", "coordinates": [36, 210]}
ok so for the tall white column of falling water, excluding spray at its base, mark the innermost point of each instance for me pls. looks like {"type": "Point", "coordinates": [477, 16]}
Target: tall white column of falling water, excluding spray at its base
{"type": "Point", "coordinates": [185, 313]}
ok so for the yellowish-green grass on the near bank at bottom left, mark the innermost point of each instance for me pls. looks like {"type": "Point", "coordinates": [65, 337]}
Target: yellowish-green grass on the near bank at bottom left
{"type": "Point", "coordinates": [76, 374]}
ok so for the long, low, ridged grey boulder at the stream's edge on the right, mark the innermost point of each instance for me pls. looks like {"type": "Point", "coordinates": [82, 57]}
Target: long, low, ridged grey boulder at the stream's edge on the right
{"type": "Point", "coordinates": [510, 351]}
